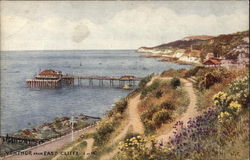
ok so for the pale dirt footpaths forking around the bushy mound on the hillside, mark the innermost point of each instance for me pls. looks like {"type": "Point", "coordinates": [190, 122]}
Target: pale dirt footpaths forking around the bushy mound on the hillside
{"type": "Point", "coordinates": [137, 125]}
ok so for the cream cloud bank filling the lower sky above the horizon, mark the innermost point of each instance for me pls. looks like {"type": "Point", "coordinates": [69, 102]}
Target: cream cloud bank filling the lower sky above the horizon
{"type": "Point", "coordinates": [127, 29]}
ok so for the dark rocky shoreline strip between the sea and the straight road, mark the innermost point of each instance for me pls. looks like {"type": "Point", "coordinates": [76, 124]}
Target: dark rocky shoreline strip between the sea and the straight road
{"type": "Point", "coordinates": [46, 132]}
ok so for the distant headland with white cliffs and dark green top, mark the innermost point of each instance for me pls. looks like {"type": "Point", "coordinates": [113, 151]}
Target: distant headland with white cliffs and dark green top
{"type": "Point", "coordinates": [221, 46]}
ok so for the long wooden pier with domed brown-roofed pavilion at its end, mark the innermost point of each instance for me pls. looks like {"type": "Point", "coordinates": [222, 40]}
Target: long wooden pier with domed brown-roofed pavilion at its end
{"type": "Point", "coordinates": [53, 79]}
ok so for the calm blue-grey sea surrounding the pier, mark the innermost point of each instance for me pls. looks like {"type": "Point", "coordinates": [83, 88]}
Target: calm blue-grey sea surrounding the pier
{"type": "Point", "coordinates": [22, 107]}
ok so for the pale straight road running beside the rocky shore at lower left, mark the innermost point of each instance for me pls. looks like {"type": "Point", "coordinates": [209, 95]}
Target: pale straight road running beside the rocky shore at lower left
{"type": "Point", "coordinates": [37, 152]}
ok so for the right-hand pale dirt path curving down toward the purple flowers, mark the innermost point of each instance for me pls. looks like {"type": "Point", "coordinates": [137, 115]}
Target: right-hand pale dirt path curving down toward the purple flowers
{"type": "Point", "coordinates": [190, 113]}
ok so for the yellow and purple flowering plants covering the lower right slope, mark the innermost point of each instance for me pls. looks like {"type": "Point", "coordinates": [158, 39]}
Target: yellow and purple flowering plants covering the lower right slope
{"type": "Point", "coordinates": [221, 132]}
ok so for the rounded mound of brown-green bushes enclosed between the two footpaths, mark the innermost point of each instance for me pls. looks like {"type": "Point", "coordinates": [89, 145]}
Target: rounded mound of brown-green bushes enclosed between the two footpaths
{"type": "Point", "coordinates": [160, 108]}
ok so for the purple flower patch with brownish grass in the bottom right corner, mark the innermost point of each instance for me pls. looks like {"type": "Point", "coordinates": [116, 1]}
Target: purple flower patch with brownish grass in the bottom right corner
{"type": "Point", "coordinates": [206, 138]}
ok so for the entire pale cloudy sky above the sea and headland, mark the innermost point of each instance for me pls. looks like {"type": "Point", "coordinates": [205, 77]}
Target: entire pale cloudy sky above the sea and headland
{"type": "Point", "coordinates": [80, 25]}
